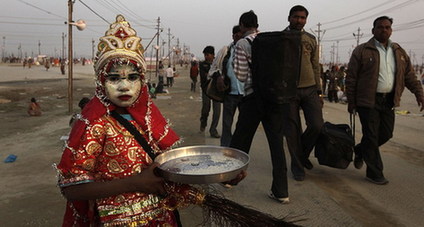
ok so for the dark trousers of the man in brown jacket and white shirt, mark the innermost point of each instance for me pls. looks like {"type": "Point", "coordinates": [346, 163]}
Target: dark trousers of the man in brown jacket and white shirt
{"type": "Point", "coordinates": [377, 129]}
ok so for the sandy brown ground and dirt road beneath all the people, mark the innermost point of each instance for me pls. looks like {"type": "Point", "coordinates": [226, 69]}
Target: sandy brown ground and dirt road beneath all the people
{"type": "Point", "coordinates": [329, 197]}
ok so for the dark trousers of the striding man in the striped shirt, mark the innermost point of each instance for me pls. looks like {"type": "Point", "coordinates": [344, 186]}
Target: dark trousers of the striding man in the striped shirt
{"type": "Point", "coordinates": [252, 112]}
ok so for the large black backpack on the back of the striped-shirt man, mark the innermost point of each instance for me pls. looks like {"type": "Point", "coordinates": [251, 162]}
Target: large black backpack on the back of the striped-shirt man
{"type": "Point", "coordinates": [275, 66]}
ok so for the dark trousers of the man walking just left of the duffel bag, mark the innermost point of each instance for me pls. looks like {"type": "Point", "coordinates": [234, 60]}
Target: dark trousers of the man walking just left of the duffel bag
{"type": "Point", "coordinates": [300, 144]}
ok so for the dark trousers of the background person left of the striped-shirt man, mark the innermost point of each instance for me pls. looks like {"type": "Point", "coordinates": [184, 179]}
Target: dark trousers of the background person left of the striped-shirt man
{"type": "Point", "coordinates": [206, 107]}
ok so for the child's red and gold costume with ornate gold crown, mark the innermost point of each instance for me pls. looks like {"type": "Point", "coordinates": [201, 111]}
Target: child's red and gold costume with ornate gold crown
{"type": "Point", "coordinates": [100, 149]}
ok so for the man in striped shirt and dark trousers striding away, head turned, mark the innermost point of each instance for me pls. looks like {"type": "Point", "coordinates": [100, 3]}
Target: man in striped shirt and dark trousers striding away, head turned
{"type": "Point", "coordinates": [251, 114]}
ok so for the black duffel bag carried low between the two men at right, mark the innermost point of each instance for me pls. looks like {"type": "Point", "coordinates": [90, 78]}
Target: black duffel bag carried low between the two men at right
{"type": "Point", "coordinates": [334, 146]}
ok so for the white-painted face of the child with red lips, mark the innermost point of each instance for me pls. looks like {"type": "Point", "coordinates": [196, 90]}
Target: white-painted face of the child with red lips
{"type": "Point", "coordinates": [123, 85]}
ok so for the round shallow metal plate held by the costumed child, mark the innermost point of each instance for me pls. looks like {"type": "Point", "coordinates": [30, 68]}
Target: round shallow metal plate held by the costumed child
{"type": "Point", "coordinates": [201, 164]}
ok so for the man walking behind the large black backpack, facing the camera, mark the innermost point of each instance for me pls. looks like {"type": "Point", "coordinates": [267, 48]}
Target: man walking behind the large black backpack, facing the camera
{"type": "Point", "coordinates": [300, 144]}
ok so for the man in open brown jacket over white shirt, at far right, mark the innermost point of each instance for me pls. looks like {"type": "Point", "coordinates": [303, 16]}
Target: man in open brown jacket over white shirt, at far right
{"type": "Point", "coordinates": [378, 72]}
